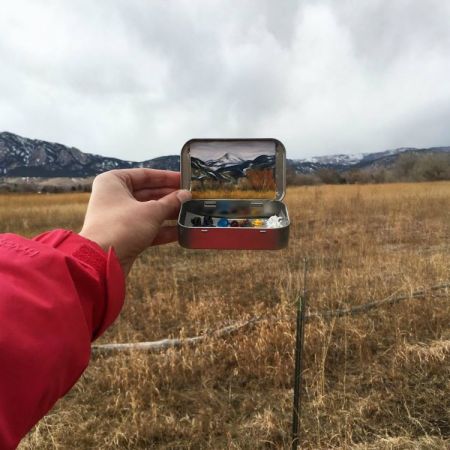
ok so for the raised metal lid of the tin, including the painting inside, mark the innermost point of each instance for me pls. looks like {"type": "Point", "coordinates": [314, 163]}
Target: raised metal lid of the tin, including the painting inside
{"type": "Point", "coordinates": [234, 168]}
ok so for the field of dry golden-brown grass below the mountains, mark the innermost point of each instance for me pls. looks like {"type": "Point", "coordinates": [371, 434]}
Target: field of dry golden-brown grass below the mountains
{"type": "Point", "coordinates": [378, 380]}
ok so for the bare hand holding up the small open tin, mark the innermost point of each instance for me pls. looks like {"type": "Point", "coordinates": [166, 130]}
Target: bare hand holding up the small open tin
{"type": "Point", "coordinates": [127, 209]}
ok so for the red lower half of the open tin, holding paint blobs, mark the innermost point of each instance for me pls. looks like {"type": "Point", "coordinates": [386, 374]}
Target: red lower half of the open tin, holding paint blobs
{"type": "Point", "coordinates": [233, 238]}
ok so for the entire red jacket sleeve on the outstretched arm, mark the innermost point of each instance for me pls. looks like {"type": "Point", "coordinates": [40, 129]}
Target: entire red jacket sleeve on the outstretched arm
{"type": "Point", "coordinates": [58, 292]}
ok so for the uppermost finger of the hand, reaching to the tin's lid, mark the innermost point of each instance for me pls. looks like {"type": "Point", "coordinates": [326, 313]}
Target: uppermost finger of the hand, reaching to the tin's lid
{"type": "Point", "coordinates": [149, 178]}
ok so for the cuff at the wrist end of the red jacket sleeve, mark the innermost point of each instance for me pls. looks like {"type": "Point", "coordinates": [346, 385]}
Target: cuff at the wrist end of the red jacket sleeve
{"type": "Point", "coordinates": [106, 266]}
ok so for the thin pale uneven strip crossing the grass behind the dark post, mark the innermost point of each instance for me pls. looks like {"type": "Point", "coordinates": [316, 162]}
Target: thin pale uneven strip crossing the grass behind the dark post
{"type": "Point", "coordinates": [163, 344]}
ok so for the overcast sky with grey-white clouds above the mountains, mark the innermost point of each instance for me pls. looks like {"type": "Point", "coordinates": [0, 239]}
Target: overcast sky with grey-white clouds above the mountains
{"type": "Point", "coordinates": [135, 79]}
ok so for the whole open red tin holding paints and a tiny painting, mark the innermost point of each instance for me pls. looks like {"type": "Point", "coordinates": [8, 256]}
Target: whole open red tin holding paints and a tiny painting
{"type": "Point", "coordinates": [237, 189]}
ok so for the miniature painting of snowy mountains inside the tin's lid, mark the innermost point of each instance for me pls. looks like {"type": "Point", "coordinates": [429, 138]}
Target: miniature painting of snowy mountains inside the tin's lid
{"type": "Point", "coordinates": [233, 169]}
